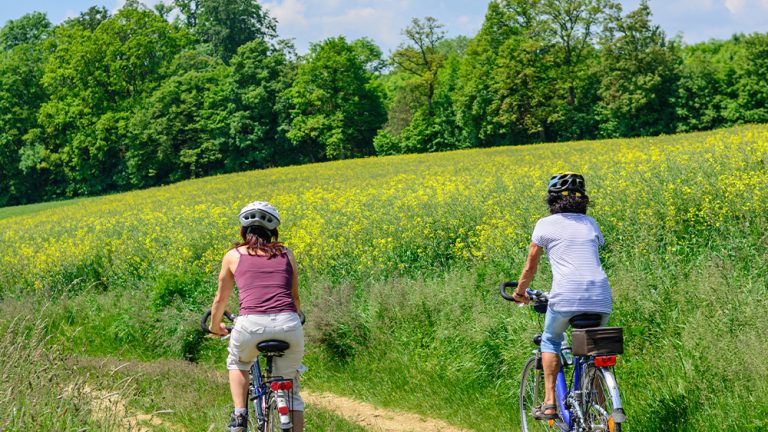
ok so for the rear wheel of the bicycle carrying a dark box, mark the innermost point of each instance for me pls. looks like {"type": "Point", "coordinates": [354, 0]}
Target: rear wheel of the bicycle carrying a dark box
{"type": "Point", "coordinates": [599, 408]}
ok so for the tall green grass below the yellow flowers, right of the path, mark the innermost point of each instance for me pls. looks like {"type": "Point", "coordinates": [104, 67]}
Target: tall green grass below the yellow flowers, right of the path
{"type": "Point", "coordinates": [690, 355]}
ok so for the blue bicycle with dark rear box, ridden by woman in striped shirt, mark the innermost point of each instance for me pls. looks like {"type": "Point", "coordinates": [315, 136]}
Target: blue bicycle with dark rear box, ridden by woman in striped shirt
{"type": "Point", "coordinates": [590, 401]}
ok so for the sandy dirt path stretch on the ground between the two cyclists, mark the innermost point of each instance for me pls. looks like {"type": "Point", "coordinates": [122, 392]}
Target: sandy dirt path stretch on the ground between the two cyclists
{"type": "Point", "coordinates": [375, 418]}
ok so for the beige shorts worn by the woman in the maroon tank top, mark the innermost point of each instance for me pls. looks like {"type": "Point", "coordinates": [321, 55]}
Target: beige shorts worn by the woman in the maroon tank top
{"type": "Point", "coordinates": [249, 330]}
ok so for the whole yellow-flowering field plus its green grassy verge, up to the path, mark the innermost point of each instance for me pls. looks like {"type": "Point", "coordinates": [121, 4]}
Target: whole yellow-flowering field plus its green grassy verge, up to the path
{"type": "Point", "coordinates": [399, 259]}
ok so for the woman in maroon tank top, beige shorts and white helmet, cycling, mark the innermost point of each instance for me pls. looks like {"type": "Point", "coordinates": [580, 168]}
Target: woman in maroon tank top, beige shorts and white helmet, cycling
{"type": "Point", "coordinates": [268, 289]}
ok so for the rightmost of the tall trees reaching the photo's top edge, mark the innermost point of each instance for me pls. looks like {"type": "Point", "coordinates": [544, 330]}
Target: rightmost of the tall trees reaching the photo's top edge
{"type": "Point", "coordinates": [640, 71]}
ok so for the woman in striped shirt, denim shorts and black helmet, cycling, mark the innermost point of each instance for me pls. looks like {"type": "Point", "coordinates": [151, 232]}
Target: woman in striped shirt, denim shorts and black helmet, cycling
{"type": "Point", "coordinates": [579, 285]}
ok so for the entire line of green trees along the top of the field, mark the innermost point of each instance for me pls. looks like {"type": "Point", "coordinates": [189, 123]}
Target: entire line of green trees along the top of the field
{"type": "Point", "coordinates": [103, 103]}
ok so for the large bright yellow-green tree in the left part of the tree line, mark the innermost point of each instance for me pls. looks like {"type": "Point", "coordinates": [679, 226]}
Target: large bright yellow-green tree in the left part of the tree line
{"type": "Point", "coordinates": [94, 79]}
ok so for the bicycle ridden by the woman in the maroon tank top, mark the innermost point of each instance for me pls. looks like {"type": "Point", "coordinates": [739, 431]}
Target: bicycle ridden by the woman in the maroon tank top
{"type": "Point", "coordinates": [270, 396]}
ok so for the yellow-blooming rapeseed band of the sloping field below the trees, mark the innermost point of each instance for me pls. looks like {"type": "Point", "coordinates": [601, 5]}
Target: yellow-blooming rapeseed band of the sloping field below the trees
{"type": "Point", "coordinates": [381, 216]}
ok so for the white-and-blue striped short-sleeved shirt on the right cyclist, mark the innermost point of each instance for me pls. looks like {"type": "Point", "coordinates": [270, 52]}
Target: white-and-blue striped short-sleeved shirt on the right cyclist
{"type": "Point", "coordinates": [579, 283]}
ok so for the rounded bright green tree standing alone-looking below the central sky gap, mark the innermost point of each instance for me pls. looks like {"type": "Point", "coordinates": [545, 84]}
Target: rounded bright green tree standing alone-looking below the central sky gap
{"type": "Point", "coordinates": [337, 107]}
